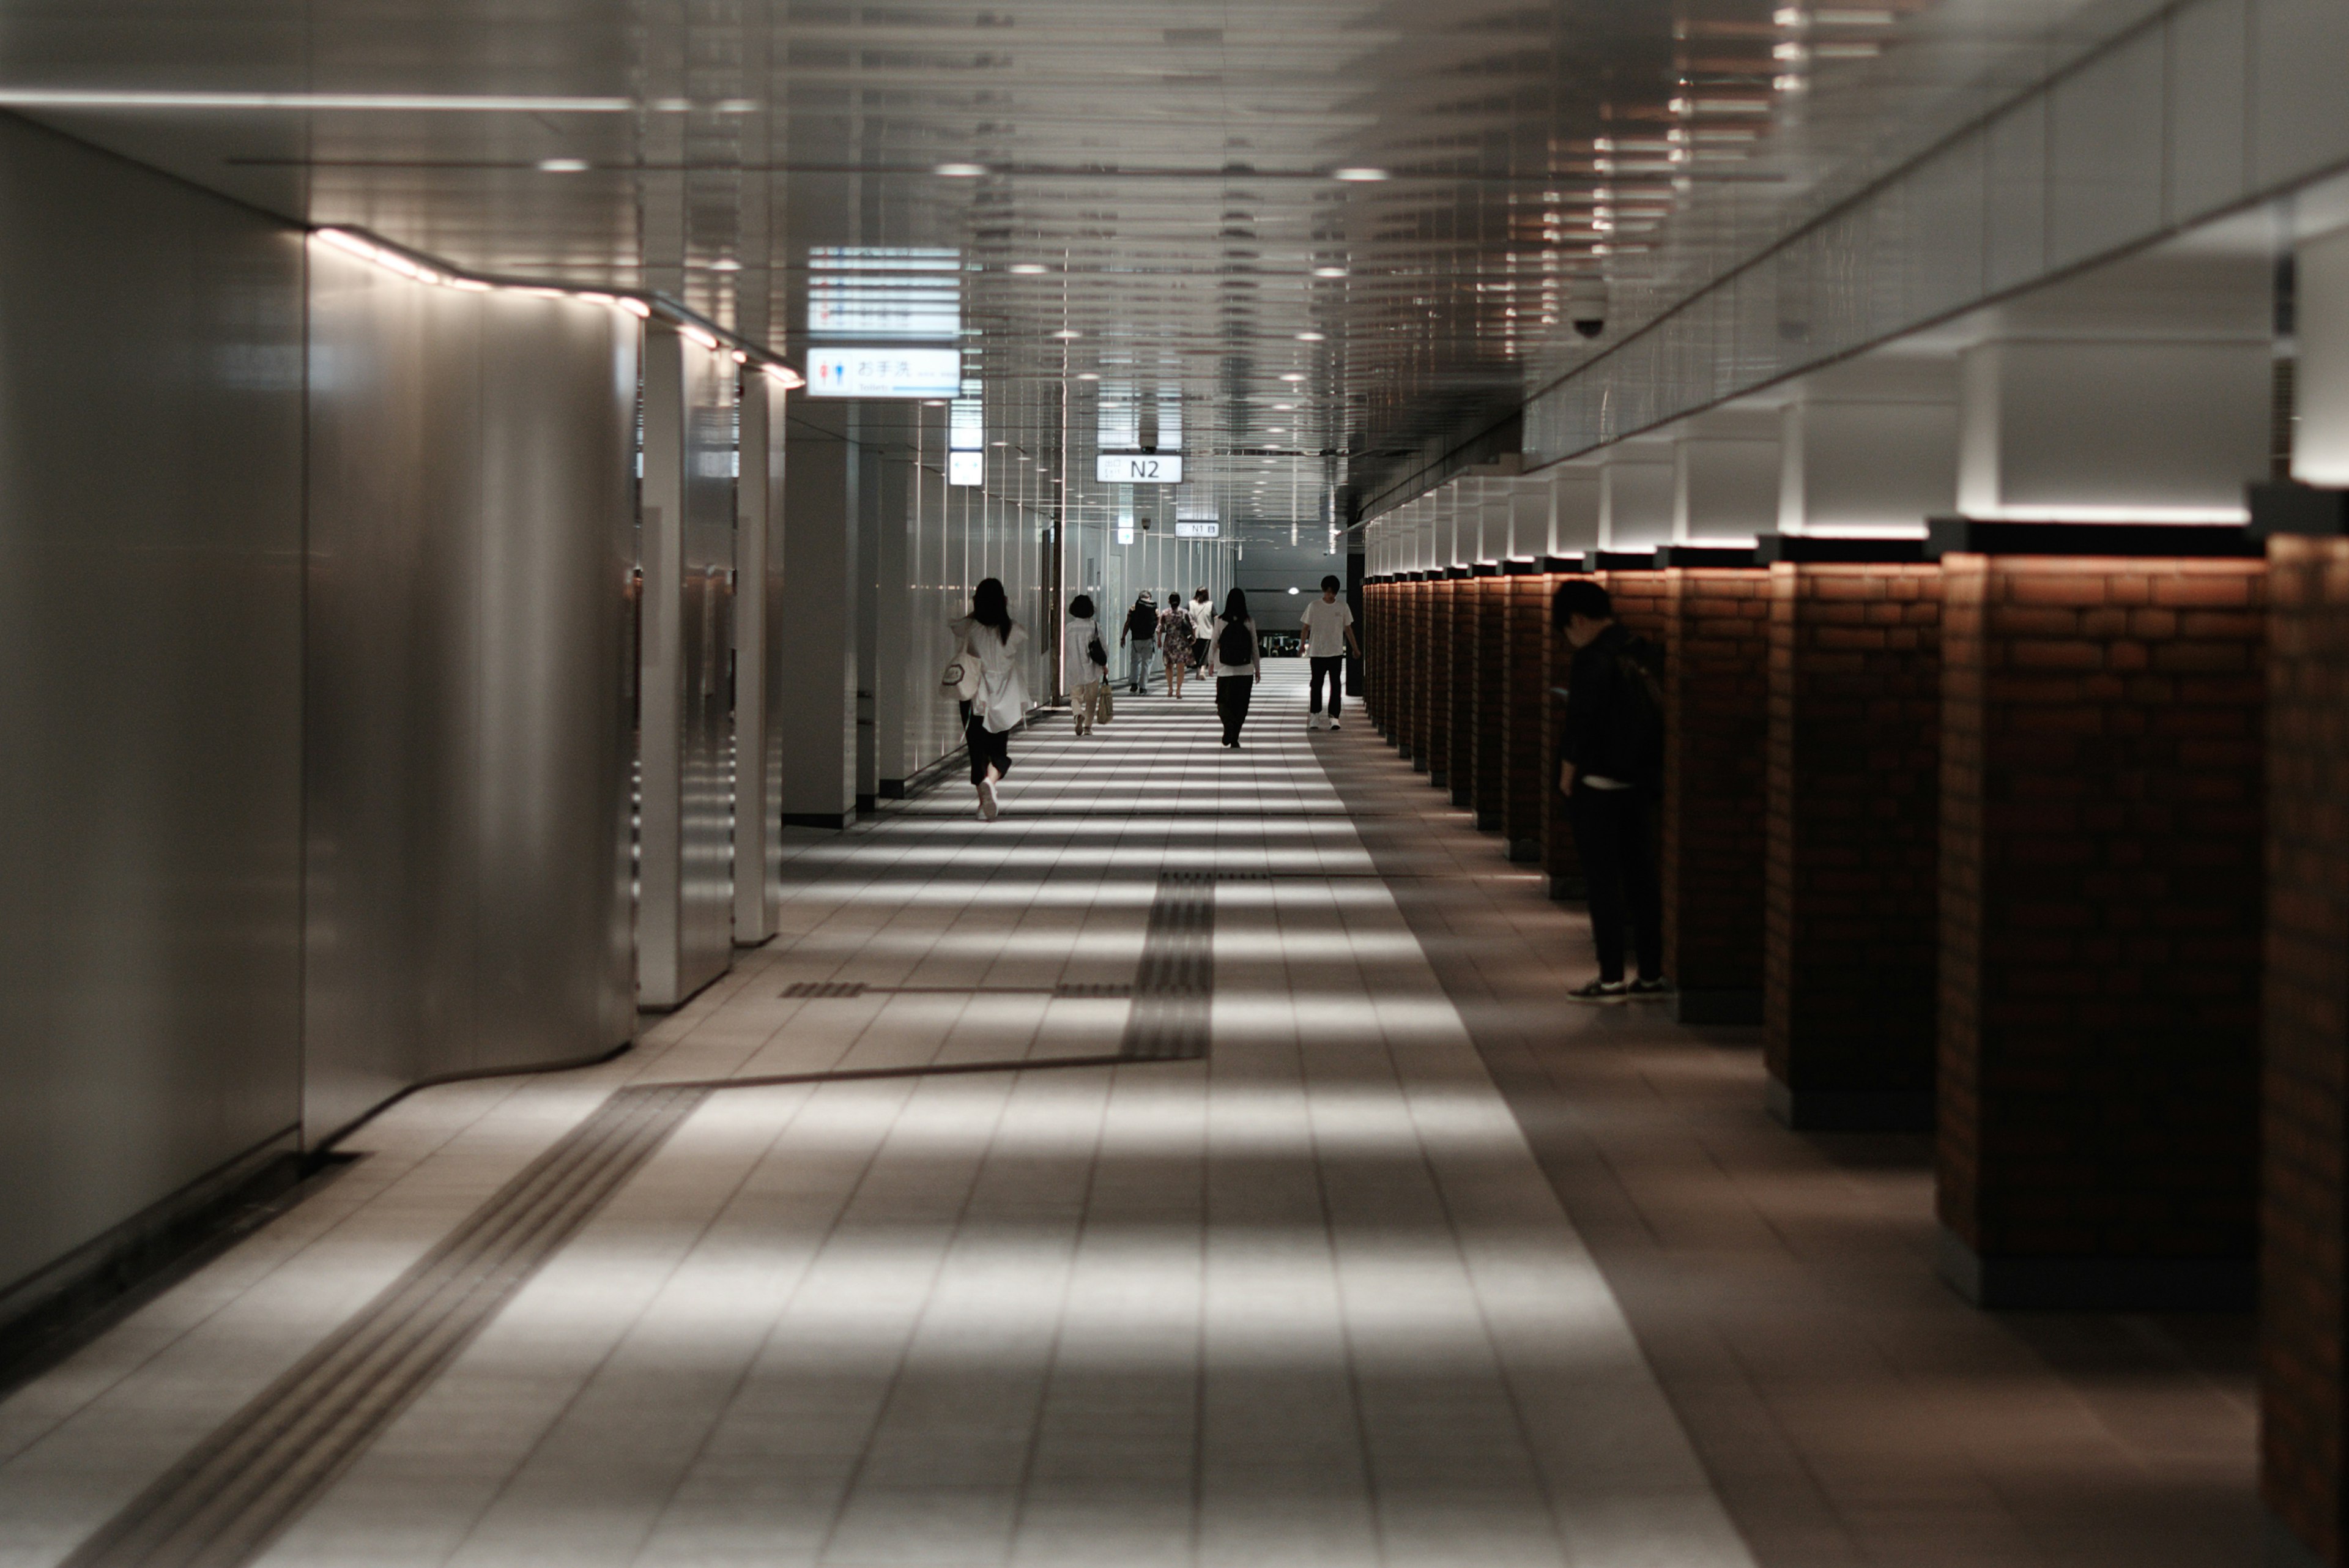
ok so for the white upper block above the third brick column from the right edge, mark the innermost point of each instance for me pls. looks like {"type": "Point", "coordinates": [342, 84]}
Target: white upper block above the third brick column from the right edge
{"type": "Point", "coordinates": [1871, 448]}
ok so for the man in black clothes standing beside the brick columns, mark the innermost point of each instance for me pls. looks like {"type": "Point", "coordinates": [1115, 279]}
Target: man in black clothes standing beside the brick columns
{"type": "Point", "coordinates": [1610, 765]}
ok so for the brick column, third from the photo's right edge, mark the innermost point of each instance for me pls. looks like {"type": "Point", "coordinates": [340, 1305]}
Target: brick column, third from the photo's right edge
{"type": "Point", "coordinates": [1855, 829]}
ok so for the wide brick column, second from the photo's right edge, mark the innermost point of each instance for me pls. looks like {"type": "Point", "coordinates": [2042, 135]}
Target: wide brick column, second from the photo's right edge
{"type": "Point", "coordinates": [2101, 906]}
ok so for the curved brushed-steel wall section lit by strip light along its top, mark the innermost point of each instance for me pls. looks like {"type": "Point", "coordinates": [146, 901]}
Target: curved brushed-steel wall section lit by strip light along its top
{"type": "Point", "coordinates": [466, 681]}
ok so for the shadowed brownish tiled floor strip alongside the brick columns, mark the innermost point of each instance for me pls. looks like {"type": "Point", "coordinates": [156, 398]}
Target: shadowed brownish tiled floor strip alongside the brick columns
{"type": "Point", "coordinates": [1845, 1402]}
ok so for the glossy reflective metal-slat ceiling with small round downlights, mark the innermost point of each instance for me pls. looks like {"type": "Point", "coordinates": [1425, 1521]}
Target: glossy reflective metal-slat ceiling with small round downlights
{"type": "Point", "coordinates": [1340, 236]}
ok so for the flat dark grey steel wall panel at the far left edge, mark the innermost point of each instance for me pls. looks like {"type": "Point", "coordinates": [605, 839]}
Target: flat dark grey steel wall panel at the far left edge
{"type": "Point", "coordinates": [149, 690]}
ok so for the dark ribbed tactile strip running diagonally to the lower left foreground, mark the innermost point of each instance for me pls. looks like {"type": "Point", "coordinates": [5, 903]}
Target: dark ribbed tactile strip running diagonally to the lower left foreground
{"type": "Point", "coordinates": [245, 1485]}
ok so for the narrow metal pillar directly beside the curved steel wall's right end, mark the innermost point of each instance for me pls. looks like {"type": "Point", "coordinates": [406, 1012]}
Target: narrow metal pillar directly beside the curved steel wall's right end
{"type": "Point", "coordinates": [685, 916]}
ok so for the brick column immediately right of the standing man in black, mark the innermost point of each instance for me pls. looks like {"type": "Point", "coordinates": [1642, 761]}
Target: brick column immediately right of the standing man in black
{"type": "Point", "coordinates": [1716, 737]}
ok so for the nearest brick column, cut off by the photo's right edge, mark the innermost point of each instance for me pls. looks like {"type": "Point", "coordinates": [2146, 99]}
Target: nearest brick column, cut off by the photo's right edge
{"type": "Point", "coordinates": [2306, 1036]}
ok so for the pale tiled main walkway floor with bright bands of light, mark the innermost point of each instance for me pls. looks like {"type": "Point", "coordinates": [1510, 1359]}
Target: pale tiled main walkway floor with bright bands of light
{"type": "Point", "coordinates": [1307, 1301]}
